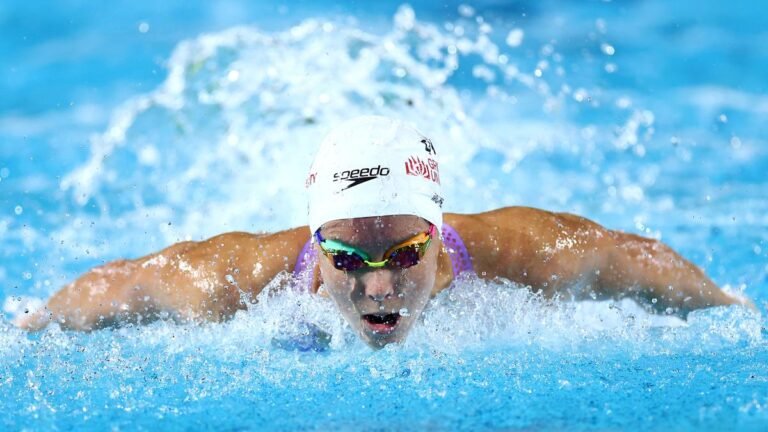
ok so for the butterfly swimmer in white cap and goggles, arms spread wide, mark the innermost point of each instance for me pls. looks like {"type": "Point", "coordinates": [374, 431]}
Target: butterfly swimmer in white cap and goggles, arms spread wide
{"type": "Point", "coordinates": [380, 246]}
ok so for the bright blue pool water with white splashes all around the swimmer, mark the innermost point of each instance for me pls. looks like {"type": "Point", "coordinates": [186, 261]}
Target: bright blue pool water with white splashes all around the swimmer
{"type": "Point", "coordinates": [124, 128]}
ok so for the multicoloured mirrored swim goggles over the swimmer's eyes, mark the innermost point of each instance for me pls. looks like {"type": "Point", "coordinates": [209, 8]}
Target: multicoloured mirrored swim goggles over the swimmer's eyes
{"type": "Point", "coordinates": [399, 256]}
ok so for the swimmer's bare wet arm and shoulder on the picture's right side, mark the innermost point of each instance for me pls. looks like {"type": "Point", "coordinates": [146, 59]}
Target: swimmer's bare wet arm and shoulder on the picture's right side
{"type": "Point", "coordinates": [564, 254]}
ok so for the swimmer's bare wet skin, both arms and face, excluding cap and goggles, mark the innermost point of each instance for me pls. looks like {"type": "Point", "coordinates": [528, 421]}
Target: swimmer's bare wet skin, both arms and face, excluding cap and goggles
{"type": "Point", "coordinates": [556, 254]}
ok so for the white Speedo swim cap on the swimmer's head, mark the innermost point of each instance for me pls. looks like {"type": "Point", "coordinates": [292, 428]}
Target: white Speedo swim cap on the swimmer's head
{"type": "Point", "coordinates": [374, 166]}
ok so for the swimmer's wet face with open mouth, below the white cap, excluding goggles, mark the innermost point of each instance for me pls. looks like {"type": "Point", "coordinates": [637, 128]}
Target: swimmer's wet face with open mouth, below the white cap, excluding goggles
{"type": "Point", "coordinates": [381, 304]}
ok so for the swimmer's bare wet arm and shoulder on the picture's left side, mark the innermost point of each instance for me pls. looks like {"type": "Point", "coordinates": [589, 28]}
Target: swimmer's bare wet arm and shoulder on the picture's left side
{"type": "Point", "coordinates": [189, 281]}
